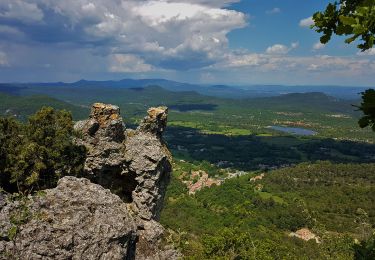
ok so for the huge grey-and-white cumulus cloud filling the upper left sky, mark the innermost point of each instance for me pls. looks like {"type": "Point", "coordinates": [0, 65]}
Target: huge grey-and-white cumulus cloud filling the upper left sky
{"type": "Point", "coordinates": [179, 34]}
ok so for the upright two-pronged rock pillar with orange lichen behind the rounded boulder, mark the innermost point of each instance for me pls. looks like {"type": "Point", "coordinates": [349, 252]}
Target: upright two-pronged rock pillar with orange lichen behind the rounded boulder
{"type": "Point", "coordinates": [134, 164]}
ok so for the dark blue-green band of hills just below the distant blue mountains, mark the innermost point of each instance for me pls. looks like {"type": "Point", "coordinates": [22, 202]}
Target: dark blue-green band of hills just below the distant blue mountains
{"type": "Point", "coordinates": [156, 95]}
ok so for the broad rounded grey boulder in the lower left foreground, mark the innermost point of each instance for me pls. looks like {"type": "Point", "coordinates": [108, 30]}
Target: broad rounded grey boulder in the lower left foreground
{"type": "Point", "coordinates": [75, 220]}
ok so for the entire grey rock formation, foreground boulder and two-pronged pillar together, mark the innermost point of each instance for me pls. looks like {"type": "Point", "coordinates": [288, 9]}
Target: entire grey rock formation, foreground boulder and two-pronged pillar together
{"type": "Point", "coordinates": [109, 213]}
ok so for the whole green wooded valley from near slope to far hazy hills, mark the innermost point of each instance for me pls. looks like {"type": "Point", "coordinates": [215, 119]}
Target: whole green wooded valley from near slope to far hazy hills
{"type": "Point", "coordinates": [239, 188]}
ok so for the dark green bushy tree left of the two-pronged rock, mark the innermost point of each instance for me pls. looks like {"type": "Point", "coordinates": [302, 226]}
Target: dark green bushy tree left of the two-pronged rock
{"type": "Point", "coordinates": [33, 156]}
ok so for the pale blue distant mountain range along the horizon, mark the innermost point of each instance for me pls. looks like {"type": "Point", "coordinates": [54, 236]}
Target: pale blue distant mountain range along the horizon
{"type": "Point", "coordinates": [223, 91]}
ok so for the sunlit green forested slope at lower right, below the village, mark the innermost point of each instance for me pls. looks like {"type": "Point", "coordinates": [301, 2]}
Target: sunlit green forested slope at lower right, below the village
{"type": "Point", "coordinates": [242, 219]}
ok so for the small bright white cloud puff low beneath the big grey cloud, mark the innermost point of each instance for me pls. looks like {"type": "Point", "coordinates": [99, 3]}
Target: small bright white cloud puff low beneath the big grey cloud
{"type": "Point", "coordinates": [128, 63]}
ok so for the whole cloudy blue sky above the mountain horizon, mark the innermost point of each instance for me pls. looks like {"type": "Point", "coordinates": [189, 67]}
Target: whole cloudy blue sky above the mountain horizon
{"type": "Point", "coordinates": [237, 42]}
